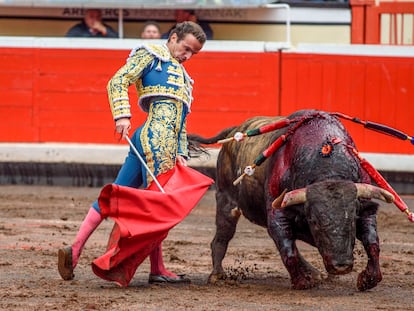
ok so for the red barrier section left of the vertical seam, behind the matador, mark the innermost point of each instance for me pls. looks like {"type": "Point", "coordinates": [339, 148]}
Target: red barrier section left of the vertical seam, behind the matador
{"type": "Point", "coordinates": [59, 95]}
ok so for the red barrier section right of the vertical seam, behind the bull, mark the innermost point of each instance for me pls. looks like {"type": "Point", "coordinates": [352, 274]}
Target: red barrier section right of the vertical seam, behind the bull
{"type": "Point", "coordinates": [378, 89]}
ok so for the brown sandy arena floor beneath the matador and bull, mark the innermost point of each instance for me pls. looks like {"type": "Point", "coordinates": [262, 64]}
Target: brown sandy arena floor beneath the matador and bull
{"type": "Point", "coordinates": [35, 221]}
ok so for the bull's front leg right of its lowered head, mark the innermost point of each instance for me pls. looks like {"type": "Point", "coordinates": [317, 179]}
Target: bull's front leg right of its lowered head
{"type": "Point", "coordinates": [367, 233]}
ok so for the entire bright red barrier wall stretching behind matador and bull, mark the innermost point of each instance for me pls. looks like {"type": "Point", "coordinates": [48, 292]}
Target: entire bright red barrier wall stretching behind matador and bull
{"type": "Point", "coordinates": [59, 95]}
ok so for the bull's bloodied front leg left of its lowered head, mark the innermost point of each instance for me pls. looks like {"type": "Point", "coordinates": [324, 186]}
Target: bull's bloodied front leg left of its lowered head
{"type": "Point", "coordinates": [302, 274]}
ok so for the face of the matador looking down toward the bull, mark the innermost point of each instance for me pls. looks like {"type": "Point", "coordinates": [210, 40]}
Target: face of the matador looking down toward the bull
{"type": "Point", "coordinates": [184, 49]}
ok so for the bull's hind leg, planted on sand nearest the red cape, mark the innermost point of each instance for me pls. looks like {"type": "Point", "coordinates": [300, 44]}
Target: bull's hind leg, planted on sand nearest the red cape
{"type": "Point", "coordinates": [227, 216]}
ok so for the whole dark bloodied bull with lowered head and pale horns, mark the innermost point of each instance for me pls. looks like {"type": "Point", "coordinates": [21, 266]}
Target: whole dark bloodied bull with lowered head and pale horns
{"type": "Point", "coordinates": [329, 207]}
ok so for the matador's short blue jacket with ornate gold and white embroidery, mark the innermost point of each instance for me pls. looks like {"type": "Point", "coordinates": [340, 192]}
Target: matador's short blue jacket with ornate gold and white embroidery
{"type": "Point", "coordinates": [155, 73]}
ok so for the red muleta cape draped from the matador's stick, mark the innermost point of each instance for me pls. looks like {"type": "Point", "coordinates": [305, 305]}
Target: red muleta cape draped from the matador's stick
{"type": "Point", "coordinates": [143, 219]}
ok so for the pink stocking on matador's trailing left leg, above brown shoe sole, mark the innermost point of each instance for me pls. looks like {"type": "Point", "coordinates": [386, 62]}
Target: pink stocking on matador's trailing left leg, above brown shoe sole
{"type": "Point", "coordinates": [89, 224]}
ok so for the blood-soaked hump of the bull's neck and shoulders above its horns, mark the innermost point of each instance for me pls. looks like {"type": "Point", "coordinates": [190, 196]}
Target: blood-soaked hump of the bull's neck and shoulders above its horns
{"type": "Point", "coordinates": [316, 150]}
